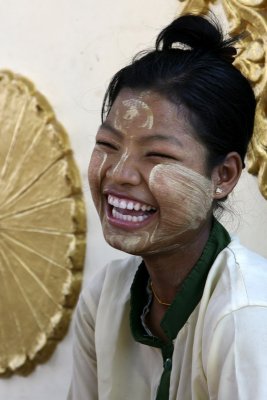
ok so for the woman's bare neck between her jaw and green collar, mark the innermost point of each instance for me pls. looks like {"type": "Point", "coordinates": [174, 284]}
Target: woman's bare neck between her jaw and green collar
{"type": "Point", "coordinates": [168, 270]}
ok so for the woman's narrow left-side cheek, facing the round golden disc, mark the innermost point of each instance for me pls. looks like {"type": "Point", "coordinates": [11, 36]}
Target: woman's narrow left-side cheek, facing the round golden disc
{"type": "Point", "coordinates": [95, 174]}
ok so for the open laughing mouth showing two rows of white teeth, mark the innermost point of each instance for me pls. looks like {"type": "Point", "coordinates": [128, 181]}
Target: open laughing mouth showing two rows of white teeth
{"type": "Point", "coordinates": [129, 210]}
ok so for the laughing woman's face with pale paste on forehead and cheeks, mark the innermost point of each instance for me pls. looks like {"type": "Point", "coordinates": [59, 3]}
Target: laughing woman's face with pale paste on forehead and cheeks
{"type": "Point", "coordinates": [147, 176]}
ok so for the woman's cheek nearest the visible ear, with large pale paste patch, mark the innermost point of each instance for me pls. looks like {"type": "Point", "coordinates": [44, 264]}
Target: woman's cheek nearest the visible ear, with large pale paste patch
{"type": "Point", "coordinates": [184, 196]}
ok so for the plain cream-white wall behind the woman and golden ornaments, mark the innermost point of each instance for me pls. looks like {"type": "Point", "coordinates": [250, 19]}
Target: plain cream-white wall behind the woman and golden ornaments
{"type": "Point", "coordinates": [70, 49]}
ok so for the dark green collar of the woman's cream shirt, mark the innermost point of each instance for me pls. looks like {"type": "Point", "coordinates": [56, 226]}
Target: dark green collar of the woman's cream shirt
{"type": "Point", "coordinates": [186, 299]}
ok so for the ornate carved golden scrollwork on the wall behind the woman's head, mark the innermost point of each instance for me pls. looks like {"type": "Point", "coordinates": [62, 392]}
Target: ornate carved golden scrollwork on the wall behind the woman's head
{"type": "Point", "coordinates": [248, 16]}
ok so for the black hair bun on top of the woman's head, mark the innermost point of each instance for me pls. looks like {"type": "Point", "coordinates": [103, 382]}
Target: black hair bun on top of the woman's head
{"type": "Point", "coordinates": [194, 32]}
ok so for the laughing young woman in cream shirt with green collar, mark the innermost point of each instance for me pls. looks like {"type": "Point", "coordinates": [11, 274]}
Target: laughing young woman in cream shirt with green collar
{"type": "Point", "coordinates": [185, 316]}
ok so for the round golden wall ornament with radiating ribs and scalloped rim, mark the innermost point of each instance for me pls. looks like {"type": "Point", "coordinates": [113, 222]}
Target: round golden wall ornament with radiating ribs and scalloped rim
{"type": "Point", "coordinates": [42, 227]}
